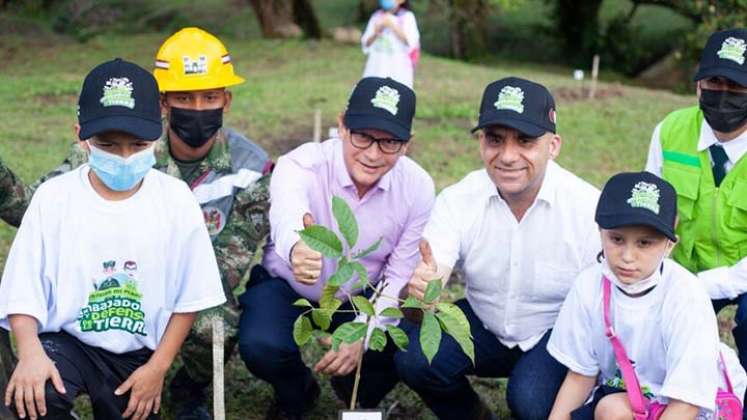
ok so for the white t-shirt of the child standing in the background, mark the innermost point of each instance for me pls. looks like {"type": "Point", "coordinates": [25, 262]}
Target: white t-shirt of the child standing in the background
{"type": "Point", "coordinates": [389, 56]}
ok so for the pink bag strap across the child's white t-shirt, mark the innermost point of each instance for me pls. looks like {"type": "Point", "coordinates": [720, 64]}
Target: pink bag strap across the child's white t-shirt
{"type": "Point", "coordinates": [637, 402]}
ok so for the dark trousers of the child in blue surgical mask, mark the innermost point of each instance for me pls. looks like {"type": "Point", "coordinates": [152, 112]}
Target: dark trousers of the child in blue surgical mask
{"type": "Point", "coordinates": [88, 370]}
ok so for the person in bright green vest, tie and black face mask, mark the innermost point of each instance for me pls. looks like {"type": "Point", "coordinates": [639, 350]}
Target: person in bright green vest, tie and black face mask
{"type": "Point", "coordinates": [701, 151]}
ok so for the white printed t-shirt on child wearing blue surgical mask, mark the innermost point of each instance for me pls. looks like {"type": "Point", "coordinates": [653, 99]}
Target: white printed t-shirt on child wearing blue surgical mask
{"type": "Point", "coordinates": [110, 273]}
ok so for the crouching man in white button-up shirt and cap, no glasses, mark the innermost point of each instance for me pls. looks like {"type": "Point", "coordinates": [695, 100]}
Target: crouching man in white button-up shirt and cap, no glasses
{"type": "Point", "coordinates": [522, 228]}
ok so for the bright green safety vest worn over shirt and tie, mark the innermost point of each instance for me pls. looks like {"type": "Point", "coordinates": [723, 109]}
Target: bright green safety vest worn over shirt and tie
{"type": "Point", "coordinates": [712, 226]}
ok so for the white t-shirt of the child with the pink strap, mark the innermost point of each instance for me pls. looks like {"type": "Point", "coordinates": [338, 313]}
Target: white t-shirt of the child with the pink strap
{"type": "Point", "coordinates": [670, 335]}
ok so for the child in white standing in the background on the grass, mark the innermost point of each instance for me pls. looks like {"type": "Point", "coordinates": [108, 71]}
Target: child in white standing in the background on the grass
{"type": "Point", "coordinates": [392, 42]}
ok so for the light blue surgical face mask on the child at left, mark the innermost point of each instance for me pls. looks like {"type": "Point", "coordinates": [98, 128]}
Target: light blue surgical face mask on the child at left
{"type": "Point", "coordinates": [118, 173]}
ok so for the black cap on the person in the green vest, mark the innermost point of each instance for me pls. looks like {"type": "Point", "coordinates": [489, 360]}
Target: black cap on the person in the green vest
{"type": "Point", "coordinates": [724, 55]}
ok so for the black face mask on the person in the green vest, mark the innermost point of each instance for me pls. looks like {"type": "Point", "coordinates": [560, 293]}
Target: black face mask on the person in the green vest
{"type": "Point", "coordinates": [724, 110]}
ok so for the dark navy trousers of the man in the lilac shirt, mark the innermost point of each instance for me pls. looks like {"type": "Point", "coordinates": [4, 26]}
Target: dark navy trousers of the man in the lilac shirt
{"type": "Point", "coordinates": [267, 347]}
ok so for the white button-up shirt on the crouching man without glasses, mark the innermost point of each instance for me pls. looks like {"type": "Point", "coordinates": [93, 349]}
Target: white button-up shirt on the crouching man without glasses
{"type": "Point", "coordinates": [517, 273]}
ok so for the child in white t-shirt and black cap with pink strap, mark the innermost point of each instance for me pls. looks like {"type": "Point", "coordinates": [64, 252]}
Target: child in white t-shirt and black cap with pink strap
{"type": "Point", "coordinates": [660, 312]}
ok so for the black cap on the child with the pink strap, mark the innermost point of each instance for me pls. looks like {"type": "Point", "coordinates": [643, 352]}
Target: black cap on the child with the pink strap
{"type": "Point", "coordinates": [638, 198]}
